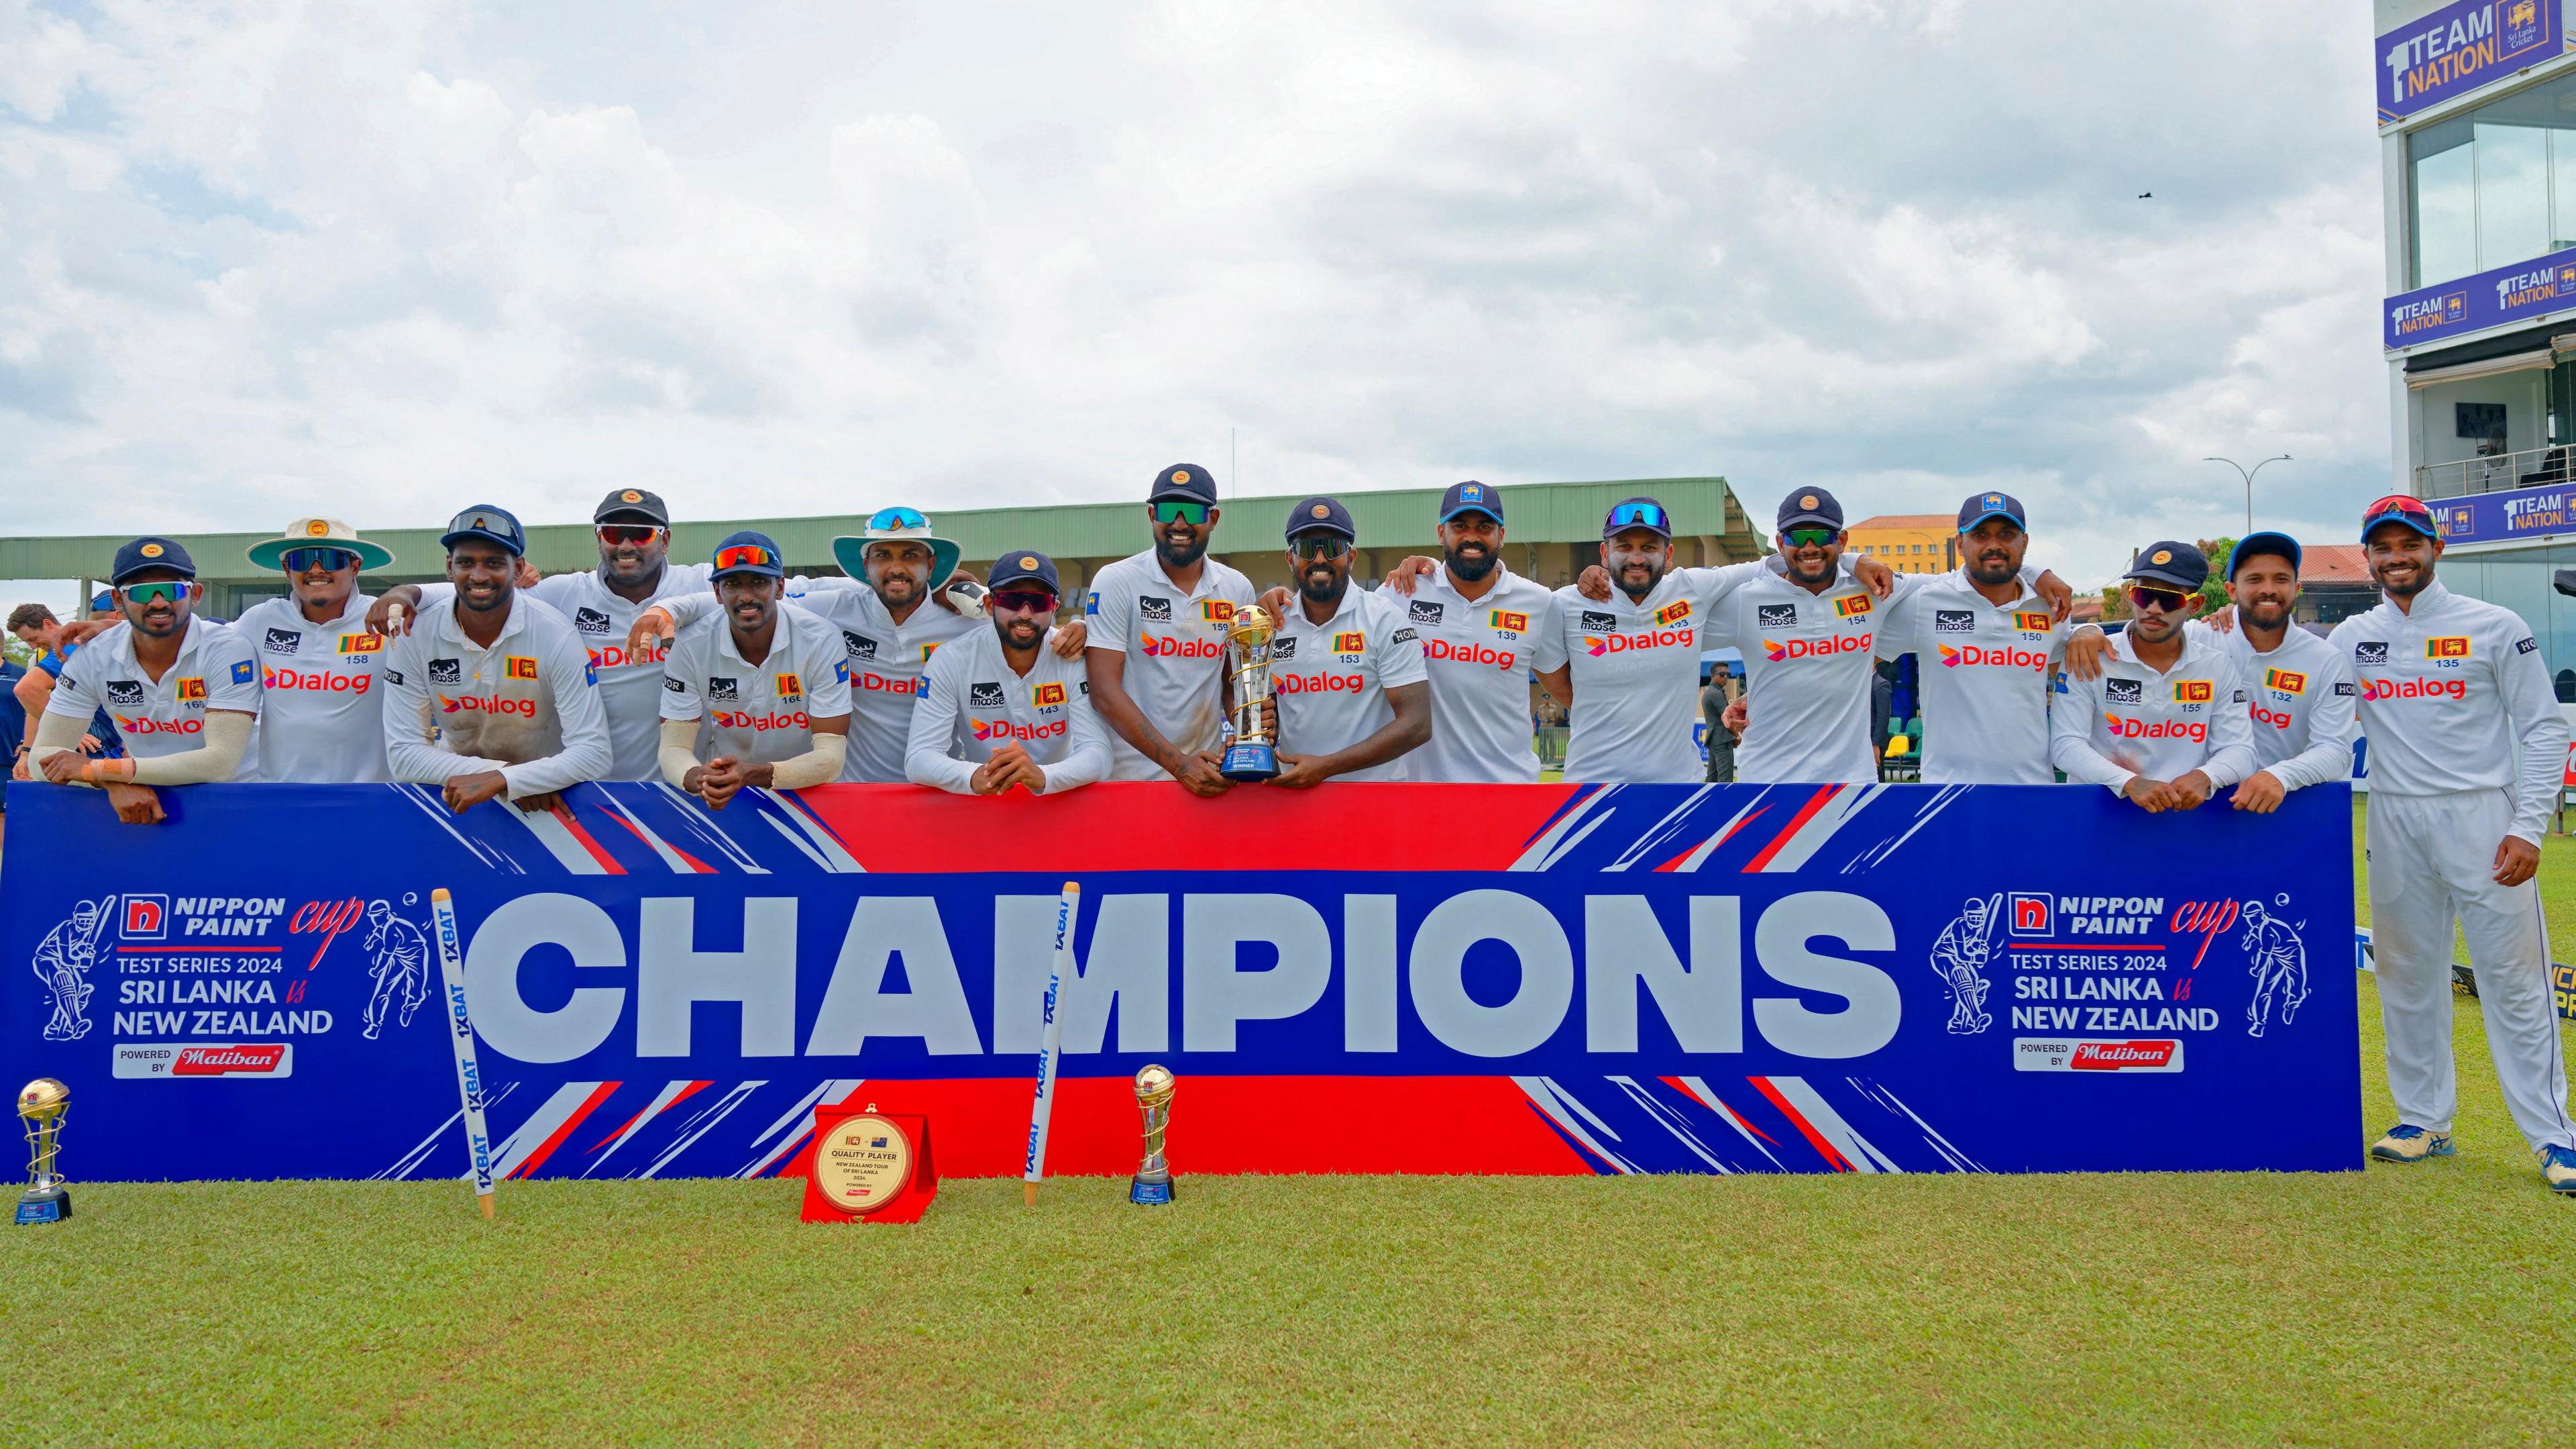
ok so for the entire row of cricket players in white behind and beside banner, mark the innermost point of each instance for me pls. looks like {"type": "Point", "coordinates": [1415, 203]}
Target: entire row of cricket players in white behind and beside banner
{"type": "Point", "coordinates": [730, 674]}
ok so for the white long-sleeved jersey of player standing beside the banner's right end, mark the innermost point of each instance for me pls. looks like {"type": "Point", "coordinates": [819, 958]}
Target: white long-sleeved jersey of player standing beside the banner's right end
{"type": "Point", "coordinates": [2454, 697]}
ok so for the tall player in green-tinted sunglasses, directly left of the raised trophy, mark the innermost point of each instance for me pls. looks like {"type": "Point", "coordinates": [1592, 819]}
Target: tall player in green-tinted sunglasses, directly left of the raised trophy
{"type": "Point", "coordinates": [1158, 646]}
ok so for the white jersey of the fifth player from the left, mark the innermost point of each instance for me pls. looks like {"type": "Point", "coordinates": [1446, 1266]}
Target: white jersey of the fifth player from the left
{"type": "Point", "coordinates": [759, 713]}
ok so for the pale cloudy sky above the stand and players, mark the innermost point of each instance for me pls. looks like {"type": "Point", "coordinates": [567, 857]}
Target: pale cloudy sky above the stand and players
{"type": "Point", "coordinates": [800, 259]}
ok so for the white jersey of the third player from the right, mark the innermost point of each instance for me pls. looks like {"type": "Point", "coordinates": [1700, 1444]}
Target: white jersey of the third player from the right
{"type": "Point", "coordinates": [2139, 723]}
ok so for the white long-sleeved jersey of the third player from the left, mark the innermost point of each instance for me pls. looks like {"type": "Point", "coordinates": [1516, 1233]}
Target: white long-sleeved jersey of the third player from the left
{"type": "Point", "coordinates": [524, 708]}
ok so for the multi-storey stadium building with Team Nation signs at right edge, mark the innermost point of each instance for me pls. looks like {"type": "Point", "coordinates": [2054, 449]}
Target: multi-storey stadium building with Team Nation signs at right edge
{"type": "Point", "coordinates": [2479, 177]}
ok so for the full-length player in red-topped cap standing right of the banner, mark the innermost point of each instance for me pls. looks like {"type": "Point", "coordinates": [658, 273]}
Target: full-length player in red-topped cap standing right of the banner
{"type": "Point", "coordinates": [2467, 754]}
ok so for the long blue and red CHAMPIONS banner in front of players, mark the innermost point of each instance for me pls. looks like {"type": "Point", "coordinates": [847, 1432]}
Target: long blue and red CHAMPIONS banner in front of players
{"type": "Point", "coordinates": [1356, 978]}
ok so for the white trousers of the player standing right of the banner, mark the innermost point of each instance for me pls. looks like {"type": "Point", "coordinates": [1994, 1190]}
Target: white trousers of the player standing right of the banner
{"type": "Point", "coordinates": [2433, 860]}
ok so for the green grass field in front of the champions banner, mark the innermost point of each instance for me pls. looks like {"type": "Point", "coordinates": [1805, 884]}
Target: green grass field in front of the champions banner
{"type": "Point", "coordinates": [2400, 1306]}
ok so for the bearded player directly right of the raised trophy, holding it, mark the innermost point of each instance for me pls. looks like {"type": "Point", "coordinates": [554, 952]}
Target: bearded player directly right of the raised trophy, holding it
{"type": "Point", "coordinates": [1346, 666]}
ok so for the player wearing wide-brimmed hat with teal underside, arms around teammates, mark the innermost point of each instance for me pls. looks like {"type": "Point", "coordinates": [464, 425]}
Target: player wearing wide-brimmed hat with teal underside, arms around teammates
{"type": "Point", "coordinates": [900, 599]}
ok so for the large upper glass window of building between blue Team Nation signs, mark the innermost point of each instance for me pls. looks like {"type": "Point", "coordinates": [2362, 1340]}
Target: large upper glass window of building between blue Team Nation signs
{"type": "Point", "coordinates": [2495, 187]}
